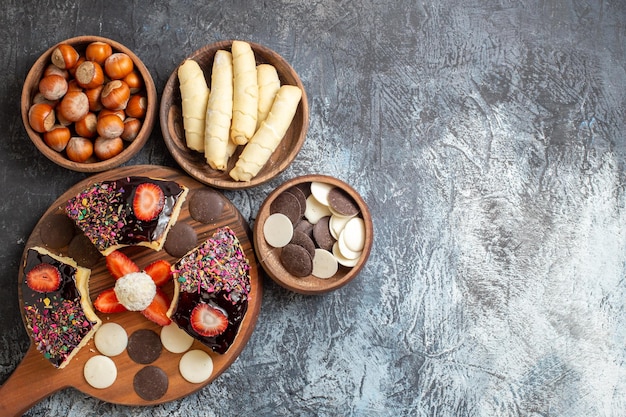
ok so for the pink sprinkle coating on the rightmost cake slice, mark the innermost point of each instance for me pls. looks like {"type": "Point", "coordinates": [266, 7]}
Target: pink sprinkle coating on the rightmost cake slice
{"type": "Point", "coordinates": [217, 265]}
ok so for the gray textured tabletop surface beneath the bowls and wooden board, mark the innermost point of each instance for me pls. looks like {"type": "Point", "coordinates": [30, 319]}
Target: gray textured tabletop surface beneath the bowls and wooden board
{"type": "Point", "coordinates": [487, 138]}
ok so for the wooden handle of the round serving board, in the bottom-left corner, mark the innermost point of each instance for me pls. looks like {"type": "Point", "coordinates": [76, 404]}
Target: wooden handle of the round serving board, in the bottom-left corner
{"type": "Point", "coordinates": [15, 397]}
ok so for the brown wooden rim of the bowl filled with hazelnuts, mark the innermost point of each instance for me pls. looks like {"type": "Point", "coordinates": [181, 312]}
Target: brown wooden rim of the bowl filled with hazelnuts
{"type": "Point", "coordinates": [32, 79]}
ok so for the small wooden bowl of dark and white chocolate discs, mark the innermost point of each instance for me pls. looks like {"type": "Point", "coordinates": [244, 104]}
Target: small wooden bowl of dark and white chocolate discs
{"type": "Point", "coordinates": [313, 234]}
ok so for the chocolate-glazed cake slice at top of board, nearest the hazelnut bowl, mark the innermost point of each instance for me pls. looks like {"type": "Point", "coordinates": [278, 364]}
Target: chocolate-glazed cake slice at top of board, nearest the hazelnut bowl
{"type": "Point", "coordinates": [129, 211]}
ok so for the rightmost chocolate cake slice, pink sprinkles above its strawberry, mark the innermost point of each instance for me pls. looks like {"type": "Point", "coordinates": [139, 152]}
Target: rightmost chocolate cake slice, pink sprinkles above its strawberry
{"type": "Point", "coordinates": [212, 285]}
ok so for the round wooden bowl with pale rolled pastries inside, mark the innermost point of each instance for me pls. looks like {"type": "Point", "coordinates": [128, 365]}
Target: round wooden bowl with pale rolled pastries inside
{"type": "Point", "coordinates": [234, 114]}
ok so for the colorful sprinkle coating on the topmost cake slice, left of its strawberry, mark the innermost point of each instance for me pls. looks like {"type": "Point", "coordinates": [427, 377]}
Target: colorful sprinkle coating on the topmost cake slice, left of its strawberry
{"type": "Point", "coordinates": [99, 211]}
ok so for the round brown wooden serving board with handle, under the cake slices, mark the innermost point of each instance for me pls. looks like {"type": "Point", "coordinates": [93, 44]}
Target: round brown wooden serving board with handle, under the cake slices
{"type": "Point", "coordinates": [35, 378]}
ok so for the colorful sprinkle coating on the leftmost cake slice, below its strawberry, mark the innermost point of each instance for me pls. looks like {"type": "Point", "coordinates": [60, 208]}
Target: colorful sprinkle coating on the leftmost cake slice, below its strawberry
{"type": "Point", "coordinates": [57, 328]}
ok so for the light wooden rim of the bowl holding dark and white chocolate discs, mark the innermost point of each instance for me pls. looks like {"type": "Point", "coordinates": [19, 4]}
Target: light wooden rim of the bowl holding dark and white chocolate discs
{"type": "Point", "coordinates": [311, 285]}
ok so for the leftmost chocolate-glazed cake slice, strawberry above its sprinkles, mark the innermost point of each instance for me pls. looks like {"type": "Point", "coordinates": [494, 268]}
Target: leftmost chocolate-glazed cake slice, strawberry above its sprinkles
{"type": "Point", "coordinates": [57, 309]}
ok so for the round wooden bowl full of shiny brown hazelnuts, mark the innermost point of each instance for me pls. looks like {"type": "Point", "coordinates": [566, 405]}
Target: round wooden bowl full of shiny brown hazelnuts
{"type": "Point", "coordinates": [89, 104]}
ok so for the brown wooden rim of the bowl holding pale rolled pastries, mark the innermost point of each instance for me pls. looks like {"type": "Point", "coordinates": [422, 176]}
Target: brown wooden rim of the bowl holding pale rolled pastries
{"type": "Point", "coordinates": [225, 182]}
